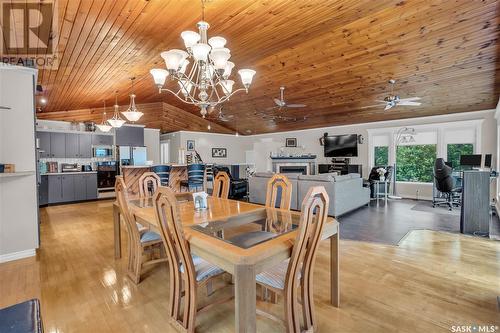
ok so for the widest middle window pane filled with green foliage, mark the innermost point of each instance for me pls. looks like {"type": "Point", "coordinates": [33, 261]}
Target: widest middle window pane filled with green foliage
{"type": "Point", "coordinates": [415, 163]}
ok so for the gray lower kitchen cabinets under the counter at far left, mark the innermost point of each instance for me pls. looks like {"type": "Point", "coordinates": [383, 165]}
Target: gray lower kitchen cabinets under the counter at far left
{"type": "Point", "coordinates": [71, 187]}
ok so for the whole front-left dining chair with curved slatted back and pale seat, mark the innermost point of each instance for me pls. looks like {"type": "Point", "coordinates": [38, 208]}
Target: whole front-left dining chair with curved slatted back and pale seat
{"type": "Point", "coordinates": [187, 272]}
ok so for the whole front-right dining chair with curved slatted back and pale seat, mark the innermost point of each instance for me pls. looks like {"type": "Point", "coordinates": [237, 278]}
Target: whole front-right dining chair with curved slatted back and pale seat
{"type": "Point", "coordinates": [297, 272]}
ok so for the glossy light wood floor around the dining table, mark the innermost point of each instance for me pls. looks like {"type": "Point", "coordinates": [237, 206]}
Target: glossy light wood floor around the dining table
{"type": "Point", "coordinates": [428, 283]}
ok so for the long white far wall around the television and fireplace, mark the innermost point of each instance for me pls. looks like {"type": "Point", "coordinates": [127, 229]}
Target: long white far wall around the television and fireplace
{"type": "Point", "coordinates": [308, 141]}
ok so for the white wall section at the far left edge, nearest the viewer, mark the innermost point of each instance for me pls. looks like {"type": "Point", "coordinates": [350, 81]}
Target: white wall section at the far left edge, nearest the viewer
{"type": "Point", "coordinates": [18, 194]}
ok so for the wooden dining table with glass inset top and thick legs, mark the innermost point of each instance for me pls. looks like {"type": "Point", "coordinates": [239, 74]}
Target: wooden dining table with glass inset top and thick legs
{"type": "Point", "coordinates": [209, 233]}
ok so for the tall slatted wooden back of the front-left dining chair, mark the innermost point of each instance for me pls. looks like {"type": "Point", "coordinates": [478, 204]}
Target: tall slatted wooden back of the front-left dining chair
{"type": "Point", "coordinates": [178, 253]}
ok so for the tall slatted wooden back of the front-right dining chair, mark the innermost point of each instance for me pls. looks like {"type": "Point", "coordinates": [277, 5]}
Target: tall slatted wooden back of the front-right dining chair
{"type": "Point", "coordinates": [313, 217]}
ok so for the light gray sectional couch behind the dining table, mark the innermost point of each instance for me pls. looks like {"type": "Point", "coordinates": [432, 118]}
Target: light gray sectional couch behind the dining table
{"type": "Point", "coordinates": [346, 192]}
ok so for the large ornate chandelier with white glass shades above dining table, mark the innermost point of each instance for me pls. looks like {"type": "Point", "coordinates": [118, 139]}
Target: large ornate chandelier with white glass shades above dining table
{"type": "Point", "coordinates": [206, 83]}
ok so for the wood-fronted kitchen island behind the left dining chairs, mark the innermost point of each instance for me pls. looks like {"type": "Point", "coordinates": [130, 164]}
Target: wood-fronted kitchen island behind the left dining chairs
{"type": "Point", "coordinates": [132, 173]}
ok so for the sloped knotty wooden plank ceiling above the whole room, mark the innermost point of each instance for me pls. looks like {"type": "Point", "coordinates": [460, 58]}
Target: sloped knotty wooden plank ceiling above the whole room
{"type": "Point", "coordinates": [335, 56]}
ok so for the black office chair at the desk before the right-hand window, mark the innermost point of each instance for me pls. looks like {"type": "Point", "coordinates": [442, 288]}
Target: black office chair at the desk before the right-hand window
{"type": "Point", "coordinates": [445, 184]}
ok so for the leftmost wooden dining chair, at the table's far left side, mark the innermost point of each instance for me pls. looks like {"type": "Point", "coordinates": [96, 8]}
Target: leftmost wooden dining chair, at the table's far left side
{"type": "Point", "coordinates": [140, 242]}
